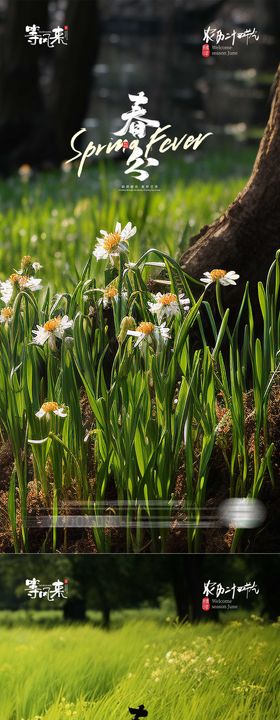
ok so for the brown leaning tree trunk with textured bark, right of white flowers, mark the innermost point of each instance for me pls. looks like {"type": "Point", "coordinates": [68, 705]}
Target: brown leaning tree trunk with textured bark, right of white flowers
{"type": "Point", "coordinates": [246, 236]}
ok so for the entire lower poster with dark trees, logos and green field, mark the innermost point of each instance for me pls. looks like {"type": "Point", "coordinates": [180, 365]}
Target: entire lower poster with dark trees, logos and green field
{"type": "Point", "coordinates": [130, 637]}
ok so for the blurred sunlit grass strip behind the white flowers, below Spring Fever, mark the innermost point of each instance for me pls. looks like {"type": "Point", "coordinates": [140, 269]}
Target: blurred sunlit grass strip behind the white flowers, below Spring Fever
{"type": "Point", "coordinates": [56, 216]}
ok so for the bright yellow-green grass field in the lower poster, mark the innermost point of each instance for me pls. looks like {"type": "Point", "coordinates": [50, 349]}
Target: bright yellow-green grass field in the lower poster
{"type": "Point", "coordinates": [218, 672]}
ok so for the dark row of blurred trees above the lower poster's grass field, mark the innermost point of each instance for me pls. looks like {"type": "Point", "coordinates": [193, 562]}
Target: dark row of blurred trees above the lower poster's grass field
{"type": "Point", "coordinates": [107, 583]}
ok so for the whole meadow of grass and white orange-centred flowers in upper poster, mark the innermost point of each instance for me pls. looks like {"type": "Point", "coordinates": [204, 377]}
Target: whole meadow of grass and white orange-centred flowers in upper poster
{"type": "Point", "coordinates": [107, 405]}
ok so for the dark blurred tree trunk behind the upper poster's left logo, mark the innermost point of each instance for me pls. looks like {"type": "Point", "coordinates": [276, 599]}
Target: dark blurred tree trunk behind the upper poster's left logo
{"type": "Point", "coordinates": [34, 128]}
